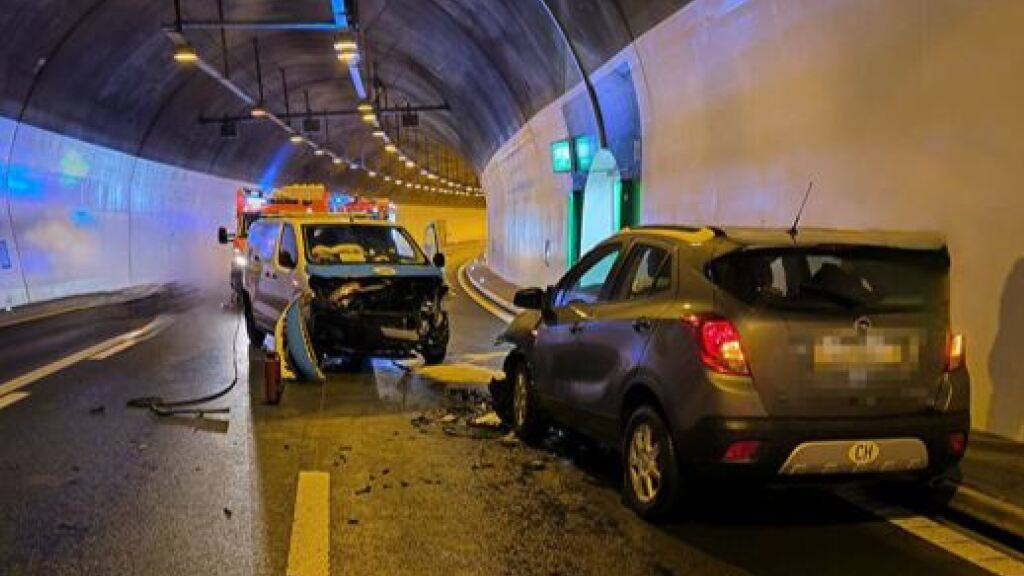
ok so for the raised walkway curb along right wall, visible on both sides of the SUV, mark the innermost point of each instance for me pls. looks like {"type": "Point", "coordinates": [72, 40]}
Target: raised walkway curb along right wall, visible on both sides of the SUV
{"type": "Point", "coordinates": [969, 496]}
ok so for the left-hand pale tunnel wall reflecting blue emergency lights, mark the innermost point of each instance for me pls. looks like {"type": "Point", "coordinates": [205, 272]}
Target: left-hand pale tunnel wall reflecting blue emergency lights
{"type": "Point", "coordinates": [79, 218]}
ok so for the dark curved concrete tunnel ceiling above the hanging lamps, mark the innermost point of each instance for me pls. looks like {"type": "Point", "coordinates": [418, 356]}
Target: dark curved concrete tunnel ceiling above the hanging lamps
{"type": "Point", "coordinates": [101, 71]}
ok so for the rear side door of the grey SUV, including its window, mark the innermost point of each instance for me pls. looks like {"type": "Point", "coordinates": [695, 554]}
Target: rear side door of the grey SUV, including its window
{"type": "Point", "coordinates": [614, 340]}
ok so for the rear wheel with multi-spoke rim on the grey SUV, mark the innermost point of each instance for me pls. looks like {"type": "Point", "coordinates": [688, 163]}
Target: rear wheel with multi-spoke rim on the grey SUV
{"type": "Point", "coordinates": [651, 467]}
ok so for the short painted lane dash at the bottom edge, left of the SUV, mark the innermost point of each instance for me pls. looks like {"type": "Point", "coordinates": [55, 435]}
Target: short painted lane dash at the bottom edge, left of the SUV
{"type": "Point", "coordinates": [309, 554]}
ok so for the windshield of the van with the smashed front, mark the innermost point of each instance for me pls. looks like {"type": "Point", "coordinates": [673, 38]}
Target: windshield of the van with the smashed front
{"type": "Point", "coordinates": [360, 244]}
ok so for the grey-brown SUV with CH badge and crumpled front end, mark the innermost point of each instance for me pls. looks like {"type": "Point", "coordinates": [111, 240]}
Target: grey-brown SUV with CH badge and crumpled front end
{"type": "Point", "coordinates": [757, 354]}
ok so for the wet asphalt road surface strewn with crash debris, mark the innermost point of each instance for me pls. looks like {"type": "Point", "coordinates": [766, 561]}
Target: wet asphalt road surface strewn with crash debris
{"type": "Point", "coordinates": [364, 475]}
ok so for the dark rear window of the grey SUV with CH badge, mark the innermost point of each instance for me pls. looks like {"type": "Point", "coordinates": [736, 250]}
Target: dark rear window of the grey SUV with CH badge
{"type": "Point", "coordinates": [840, 278]}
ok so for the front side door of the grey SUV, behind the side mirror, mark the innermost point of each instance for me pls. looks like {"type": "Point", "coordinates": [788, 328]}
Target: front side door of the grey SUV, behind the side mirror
{"type": "Point", "coordinates": [557, 356]}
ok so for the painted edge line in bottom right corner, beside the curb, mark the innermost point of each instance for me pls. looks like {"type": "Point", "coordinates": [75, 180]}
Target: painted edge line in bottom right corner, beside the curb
{"type": "Point", "coordinates": [951, 541]}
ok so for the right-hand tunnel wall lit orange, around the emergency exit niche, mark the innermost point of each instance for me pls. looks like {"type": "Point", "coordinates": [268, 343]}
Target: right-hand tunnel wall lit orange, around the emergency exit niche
{"type": "Point", "coordinates": [906, 115]}
